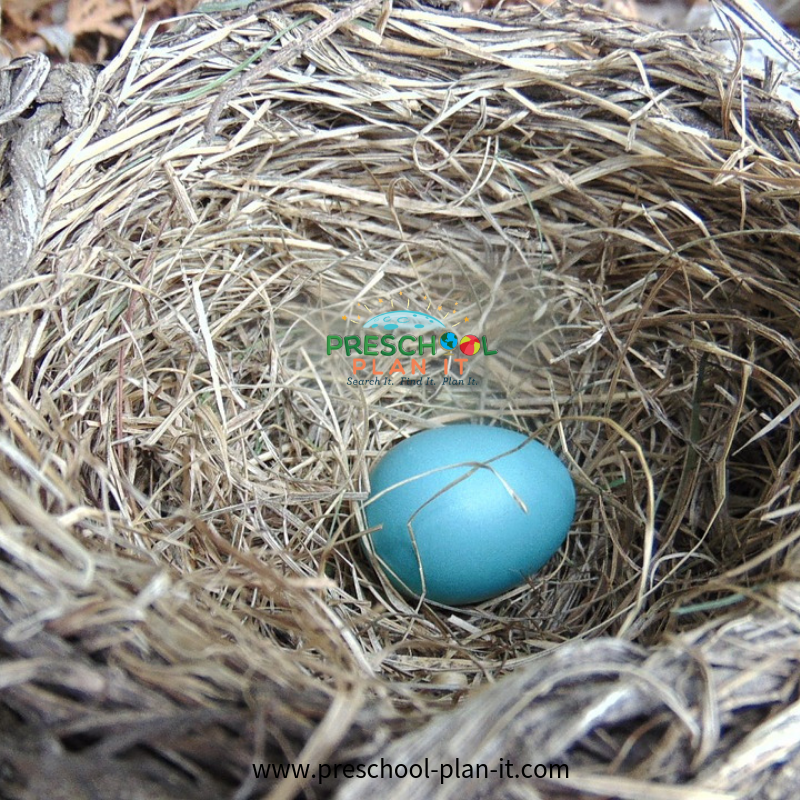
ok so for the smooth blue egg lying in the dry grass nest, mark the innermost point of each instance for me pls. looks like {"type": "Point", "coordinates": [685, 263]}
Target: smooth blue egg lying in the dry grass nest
{"type": "Point", "coordinates": [466, 512]}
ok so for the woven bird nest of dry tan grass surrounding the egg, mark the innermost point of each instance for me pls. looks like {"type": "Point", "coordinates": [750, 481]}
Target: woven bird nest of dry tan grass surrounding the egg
{"type": "Point", "coordinates": [183, 590]}
